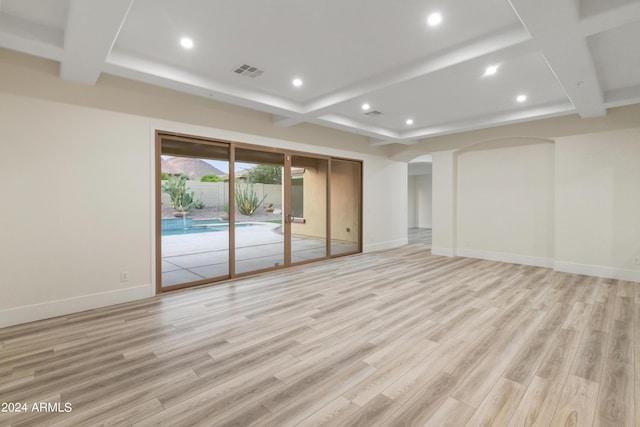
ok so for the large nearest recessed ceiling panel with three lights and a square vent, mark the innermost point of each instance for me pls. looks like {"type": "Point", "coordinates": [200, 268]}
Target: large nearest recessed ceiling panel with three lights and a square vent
{"type": "Point", "coordinates": [329, 44]}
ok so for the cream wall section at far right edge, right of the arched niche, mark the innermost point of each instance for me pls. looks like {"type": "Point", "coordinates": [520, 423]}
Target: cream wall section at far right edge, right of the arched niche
{"type": "Point", "coordinates": [598, 204]}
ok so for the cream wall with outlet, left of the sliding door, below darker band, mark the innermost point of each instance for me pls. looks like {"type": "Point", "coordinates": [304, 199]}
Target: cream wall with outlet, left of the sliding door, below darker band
{"type": "Point", "coordinates": [82, 212]}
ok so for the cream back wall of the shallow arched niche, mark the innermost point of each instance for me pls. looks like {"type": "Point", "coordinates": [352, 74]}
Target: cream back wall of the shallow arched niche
{"type": "Point", "coordinates": [506, 202]}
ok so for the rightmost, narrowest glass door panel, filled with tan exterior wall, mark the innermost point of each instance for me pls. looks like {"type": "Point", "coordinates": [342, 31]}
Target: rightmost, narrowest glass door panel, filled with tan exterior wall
{"type": "Point", "coordinates": [345, 178]}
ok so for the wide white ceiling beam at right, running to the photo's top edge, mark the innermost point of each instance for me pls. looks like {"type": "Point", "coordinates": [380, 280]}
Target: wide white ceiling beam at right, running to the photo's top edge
{"type": "Point", "coordinates": [559, 38]}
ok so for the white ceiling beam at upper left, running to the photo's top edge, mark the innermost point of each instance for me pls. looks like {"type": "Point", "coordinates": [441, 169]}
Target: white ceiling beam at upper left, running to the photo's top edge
{"type": "Point", "coordinates": [92, 28]}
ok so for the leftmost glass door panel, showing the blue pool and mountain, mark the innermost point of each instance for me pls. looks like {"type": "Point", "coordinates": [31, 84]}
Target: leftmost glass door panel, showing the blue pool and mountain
{"type": "Point", "coordinates": [194, 229]}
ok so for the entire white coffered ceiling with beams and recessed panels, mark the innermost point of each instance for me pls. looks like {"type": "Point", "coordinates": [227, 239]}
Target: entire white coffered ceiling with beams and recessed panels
{"type": "Point", "coordinates": [566, 56]}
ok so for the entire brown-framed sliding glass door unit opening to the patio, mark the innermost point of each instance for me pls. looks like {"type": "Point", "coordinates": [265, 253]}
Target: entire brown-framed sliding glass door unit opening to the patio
{"type": "Point", "coordinates": [226, 209]}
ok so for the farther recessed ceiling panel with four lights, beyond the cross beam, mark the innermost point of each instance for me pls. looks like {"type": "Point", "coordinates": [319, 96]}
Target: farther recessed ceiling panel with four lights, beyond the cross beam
{"type": "Point", "coordinates": [459, 93]}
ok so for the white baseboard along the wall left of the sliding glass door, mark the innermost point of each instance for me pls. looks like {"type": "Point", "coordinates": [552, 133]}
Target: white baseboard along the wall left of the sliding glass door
{"type": "Point", "coordinates": [29, 313]}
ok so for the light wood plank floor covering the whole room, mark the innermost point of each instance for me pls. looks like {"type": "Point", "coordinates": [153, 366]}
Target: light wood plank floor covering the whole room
{"type": "Point", "coordinates": [392, 338]}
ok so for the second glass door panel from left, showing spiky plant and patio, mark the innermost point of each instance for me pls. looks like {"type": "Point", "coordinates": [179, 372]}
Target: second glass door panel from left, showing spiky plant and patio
{"type": "Point", "coordinates": [259, 195]}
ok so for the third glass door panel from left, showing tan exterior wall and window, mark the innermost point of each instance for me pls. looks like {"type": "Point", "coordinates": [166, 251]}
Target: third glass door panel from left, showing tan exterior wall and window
{"type": "Point", "coordinates": [308, 212]}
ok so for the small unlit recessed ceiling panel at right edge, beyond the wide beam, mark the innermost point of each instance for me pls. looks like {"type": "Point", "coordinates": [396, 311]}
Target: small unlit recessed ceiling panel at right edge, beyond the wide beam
{"type": "Point", "coordinates": [616, 55]}
